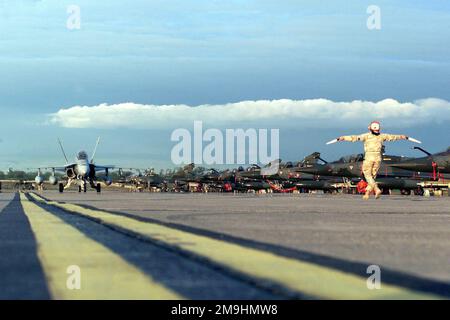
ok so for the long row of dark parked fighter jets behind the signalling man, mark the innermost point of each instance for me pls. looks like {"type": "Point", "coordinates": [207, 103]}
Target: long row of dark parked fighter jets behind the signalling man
{"type": "Point", "coordinates": [311, 173]}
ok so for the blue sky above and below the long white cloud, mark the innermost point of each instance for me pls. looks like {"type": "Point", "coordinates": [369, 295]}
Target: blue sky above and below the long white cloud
{"type": "Point", "coordinates": [213, 52]}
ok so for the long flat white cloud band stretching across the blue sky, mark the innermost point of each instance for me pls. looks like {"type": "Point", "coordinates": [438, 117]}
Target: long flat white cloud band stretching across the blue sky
{"type": "Point", "coordinates": [299, 113]}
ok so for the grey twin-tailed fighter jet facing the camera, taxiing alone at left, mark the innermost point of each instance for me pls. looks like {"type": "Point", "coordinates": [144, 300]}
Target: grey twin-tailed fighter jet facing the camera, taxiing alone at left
{"type": "Point", "coordinates": [82, 171]}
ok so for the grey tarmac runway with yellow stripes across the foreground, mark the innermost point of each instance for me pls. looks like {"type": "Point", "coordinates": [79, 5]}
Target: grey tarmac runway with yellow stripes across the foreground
{"type": "Point", "coordinates": [334, 236]}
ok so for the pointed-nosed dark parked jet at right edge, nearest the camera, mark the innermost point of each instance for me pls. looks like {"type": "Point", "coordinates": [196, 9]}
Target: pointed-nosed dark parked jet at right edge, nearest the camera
{"type": "Point", "coordinates": [438, 163]}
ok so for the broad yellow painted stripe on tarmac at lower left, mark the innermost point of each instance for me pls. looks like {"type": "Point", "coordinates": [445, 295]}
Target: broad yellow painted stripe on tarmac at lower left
{"type": "Point", "coordinates": [103, 273]}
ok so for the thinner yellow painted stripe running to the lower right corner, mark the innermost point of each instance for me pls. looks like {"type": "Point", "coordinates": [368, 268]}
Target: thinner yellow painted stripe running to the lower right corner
{"type": "Point", "coordinates": [304, 277]}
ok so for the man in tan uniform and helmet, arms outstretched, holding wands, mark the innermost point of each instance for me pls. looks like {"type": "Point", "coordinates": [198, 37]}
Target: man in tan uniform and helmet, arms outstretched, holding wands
{"type": "Point", "coordinates": [373, 146]}
